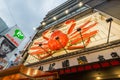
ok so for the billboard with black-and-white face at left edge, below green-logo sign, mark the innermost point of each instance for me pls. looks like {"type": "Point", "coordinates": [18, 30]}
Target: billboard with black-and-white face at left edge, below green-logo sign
{"type": "Point", "coordinates": [6, 49]}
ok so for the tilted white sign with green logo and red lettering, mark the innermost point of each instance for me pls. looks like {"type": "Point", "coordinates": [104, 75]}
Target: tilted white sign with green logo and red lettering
{"type": "Point", "coordinates": [15, 35]}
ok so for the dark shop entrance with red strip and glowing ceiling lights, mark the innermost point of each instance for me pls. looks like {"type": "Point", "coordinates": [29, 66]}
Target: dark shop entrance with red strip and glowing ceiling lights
{"type": "Point", "coordinates": [104, 70]}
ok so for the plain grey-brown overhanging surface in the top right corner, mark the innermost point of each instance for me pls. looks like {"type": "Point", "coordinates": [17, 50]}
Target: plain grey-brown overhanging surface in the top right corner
{"type": "Point", "coordinates": [110, 7]}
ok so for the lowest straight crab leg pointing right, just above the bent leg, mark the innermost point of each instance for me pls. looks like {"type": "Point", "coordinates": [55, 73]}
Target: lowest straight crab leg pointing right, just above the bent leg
{"type": "Point", "coordinates": [84, 36]}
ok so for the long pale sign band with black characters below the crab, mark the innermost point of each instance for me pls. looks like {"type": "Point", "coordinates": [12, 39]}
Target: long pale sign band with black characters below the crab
{"type": "Point", "coordinates": [93, 57]}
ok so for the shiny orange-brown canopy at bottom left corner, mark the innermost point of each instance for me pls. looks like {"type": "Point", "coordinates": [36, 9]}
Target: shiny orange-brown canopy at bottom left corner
{"type": "Point", "coordinates": [21, 72]}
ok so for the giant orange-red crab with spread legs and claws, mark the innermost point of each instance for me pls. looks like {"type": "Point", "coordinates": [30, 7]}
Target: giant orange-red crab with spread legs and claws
{"type": "Point", "coordinates": [59, 40]}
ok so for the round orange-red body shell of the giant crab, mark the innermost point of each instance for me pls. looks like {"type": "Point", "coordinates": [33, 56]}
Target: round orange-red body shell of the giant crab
{"type": "Point", "coordinates": [57, 40]}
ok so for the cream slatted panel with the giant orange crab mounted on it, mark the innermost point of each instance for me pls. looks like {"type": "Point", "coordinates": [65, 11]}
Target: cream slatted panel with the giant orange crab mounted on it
{"type": "Point", "coordinates": [74, 35]}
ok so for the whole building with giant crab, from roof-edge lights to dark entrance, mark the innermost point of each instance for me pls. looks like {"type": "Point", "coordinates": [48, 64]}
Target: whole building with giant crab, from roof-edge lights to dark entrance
{"type": "Point", "coordinates": [80, 39]}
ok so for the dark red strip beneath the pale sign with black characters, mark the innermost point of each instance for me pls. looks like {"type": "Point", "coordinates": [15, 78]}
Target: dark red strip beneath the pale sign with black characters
{"type": "Point", "coordinates": [91, 66]}
